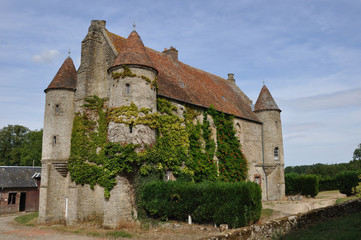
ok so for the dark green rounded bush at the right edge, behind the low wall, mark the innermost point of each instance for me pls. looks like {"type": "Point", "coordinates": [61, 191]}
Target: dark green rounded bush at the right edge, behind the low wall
{"type": "Point", "coordinates": [347, 180]}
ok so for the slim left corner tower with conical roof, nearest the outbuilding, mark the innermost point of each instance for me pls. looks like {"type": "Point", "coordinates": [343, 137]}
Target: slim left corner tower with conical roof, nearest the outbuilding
{"type": "Point", "coordinates": [58, 123]}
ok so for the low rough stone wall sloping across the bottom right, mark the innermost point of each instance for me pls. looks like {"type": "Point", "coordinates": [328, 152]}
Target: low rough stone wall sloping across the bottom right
{"type": "Point", "coordinates": [284, 225]}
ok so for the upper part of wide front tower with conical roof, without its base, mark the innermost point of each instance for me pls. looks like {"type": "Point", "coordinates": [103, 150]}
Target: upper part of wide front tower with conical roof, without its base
{"type": "Point", "coordinates": [131, 81]}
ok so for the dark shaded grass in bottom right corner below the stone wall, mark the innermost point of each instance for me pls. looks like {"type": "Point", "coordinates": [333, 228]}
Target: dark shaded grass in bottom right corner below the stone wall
{"type": "Point", "coordinates": [341, 228]}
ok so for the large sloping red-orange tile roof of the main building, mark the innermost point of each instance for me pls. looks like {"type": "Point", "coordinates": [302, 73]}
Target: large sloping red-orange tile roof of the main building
{"type": "Point", "coordinates": [182, 82]}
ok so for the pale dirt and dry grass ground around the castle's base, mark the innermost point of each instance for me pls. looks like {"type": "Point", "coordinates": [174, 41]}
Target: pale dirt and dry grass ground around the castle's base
{"type": "Point", "coordinates": [162, 231]}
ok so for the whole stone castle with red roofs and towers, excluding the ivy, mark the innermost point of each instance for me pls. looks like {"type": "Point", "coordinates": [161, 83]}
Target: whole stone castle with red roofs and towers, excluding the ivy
{"type": "Point", "coordinates": [103, 56]}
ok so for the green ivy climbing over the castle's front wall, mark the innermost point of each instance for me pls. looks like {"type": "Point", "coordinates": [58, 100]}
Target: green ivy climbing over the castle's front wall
{"type": "Point", "coordinates": [184, 145]}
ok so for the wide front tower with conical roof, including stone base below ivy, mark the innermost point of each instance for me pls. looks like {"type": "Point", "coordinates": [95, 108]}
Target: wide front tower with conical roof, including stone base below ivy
{"type": "Point", "coordinates": [130, 83]}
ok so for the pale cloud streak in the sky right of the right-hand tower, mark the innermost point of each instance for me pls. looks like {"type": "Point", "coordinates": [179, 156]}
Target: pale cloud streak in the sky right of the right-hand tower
{"type": "Point", "coordinates": [336, 100]}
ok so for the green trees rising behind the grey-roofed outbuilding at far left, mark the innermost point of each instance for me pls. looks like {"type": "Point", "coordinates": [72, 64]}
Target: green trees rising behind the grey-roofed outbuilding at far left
{"type": "Point", "coordinates": [19, 146]}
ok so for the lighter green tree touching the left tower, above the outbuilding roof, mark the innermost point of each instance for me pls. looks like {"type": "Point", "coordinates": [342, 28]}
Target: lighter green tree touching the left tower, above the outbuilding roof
{"type": "Point", "coordinates": [31, 148]}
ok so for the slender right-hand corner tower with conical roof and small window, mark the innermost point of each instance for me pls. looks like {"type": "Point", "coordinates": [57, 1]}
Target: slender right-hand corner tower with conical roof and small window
{"type": "Point", "coordinates": [268, 112]}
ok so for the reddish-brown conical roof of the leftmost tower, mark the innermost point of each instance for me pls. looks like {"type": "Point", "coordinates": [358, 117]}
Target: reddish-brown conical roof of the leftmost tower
{"type": "Point", "coordinates": [65, 78]}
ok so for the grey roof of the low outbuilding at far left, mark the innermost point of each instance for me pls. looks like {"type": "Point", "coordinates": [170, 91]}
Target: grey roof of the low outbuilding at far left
{"type": "Point", "coordinates": [18, 177]}
